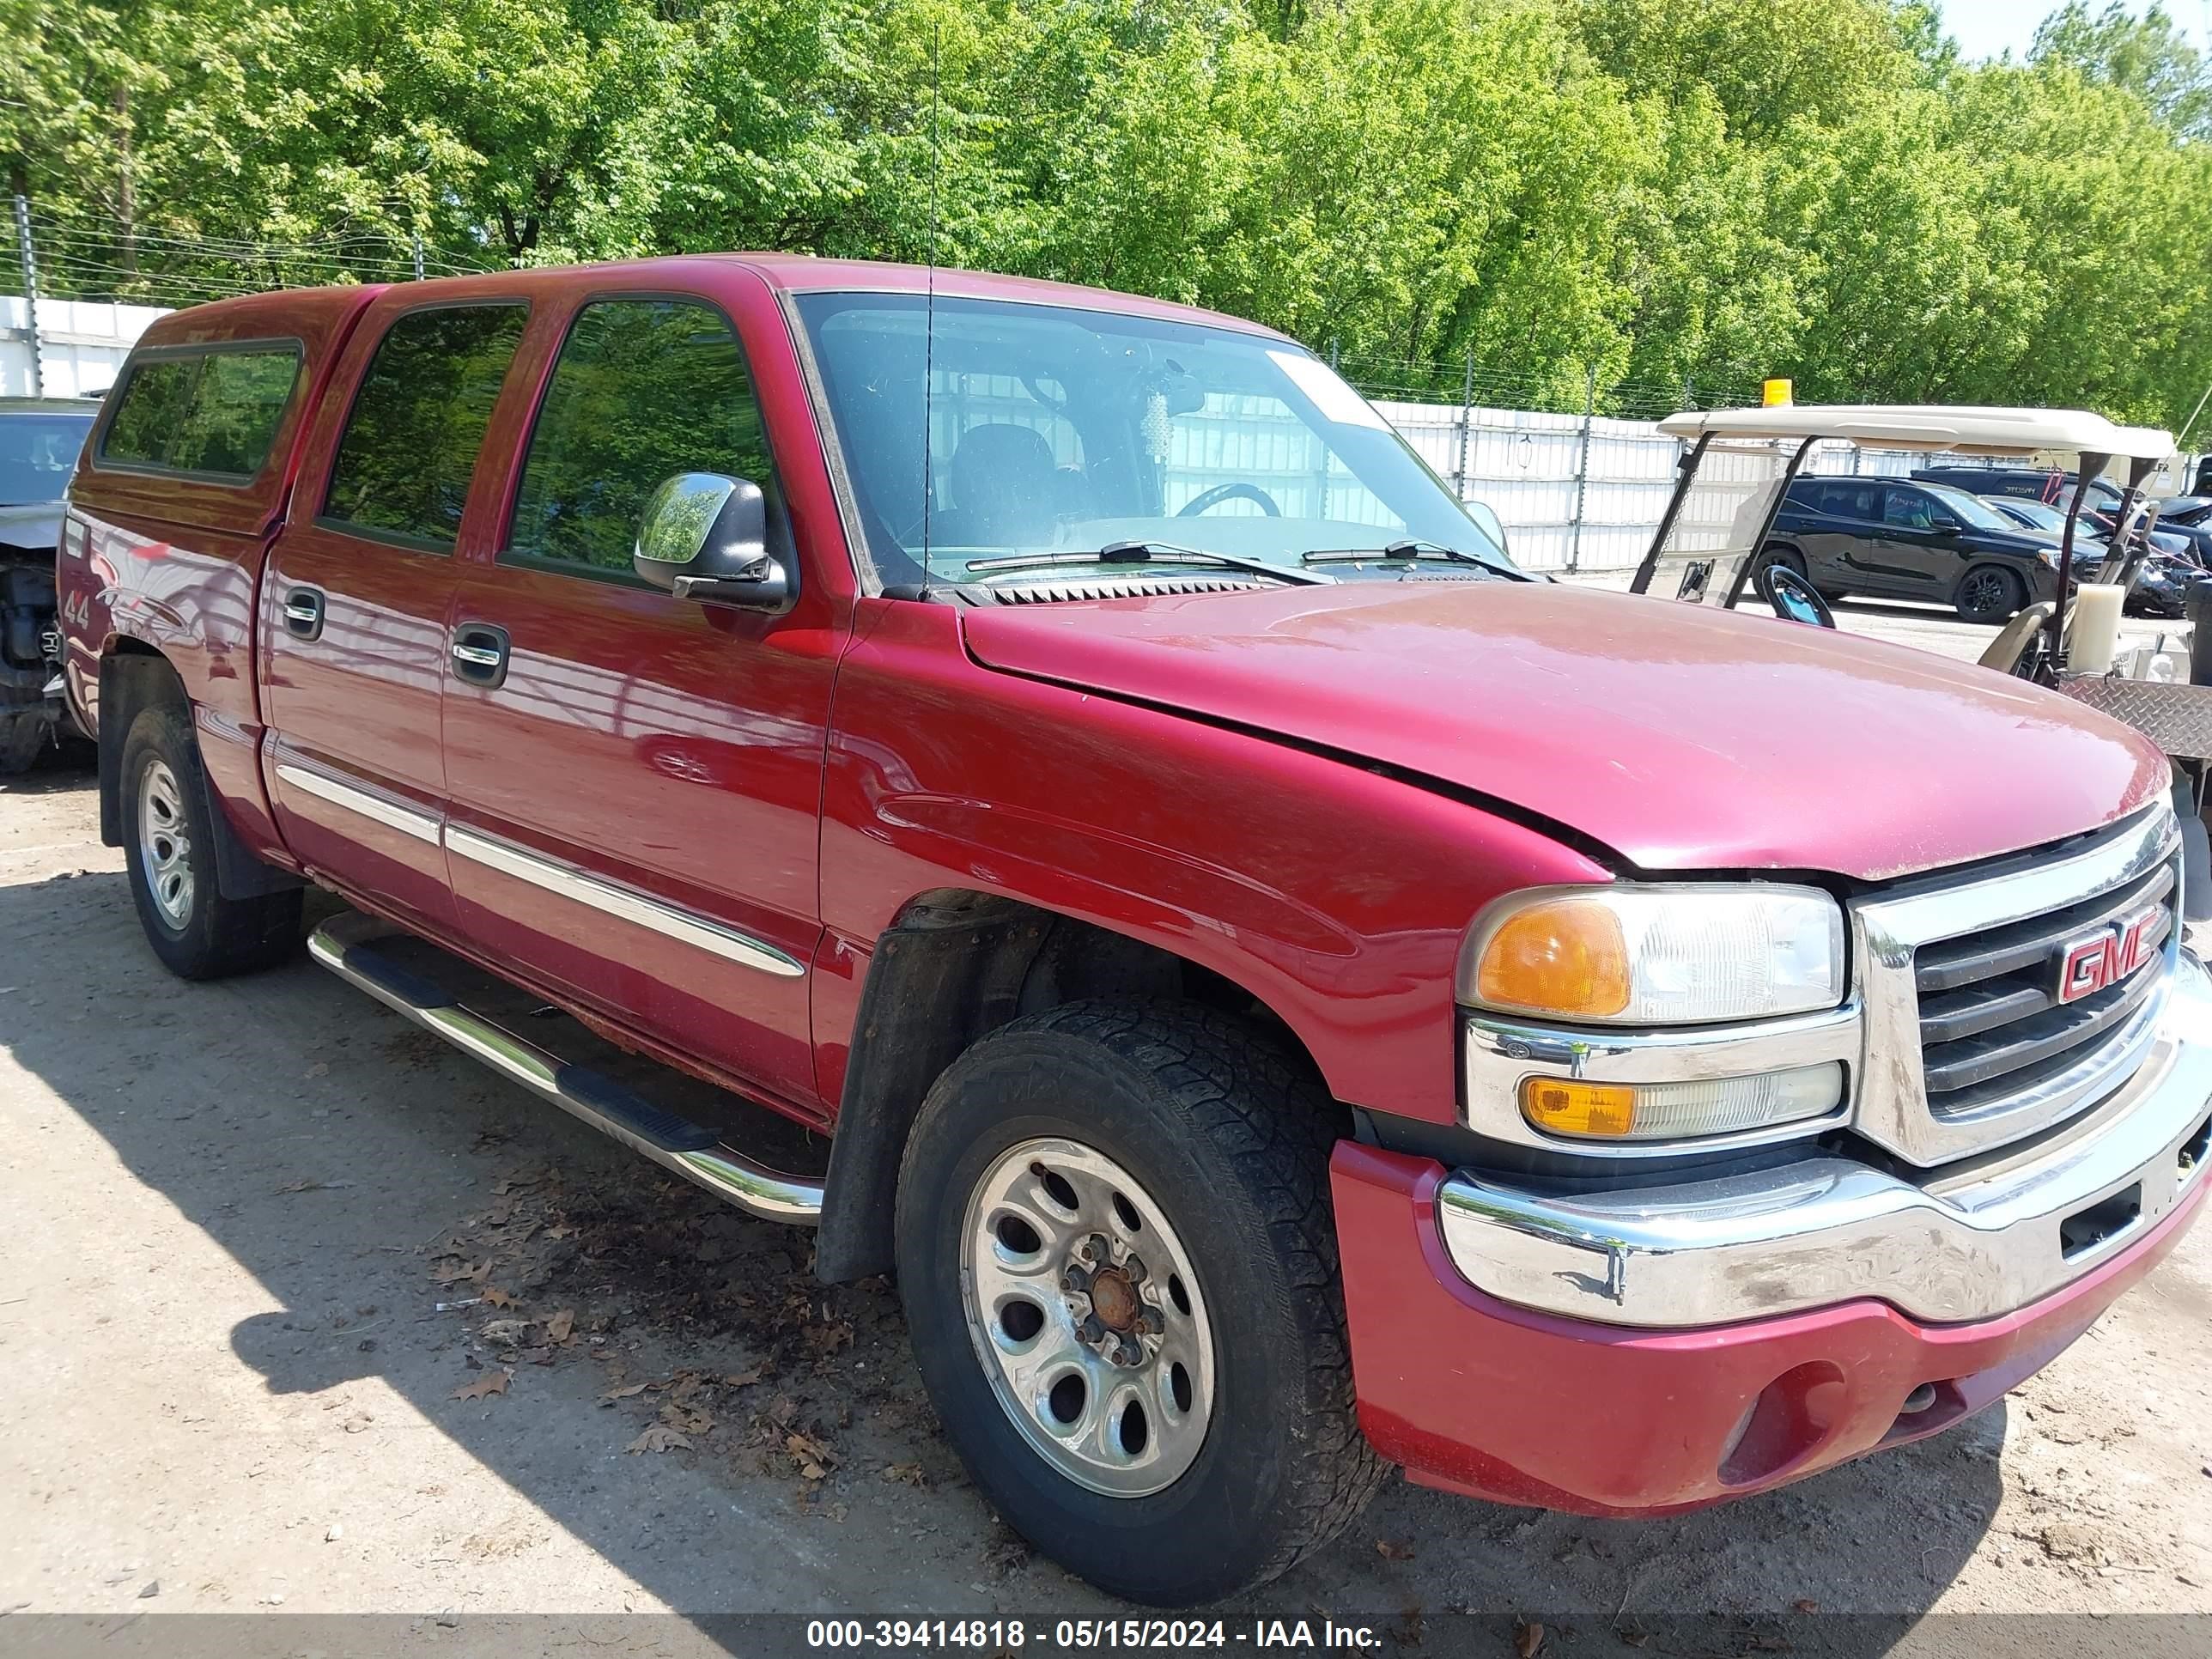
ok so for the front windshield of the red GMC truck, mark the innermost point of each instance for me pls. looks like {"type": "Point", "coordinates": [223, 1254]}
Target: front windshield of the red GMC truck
{"type": "Point", "coordinates": [1061, 430]}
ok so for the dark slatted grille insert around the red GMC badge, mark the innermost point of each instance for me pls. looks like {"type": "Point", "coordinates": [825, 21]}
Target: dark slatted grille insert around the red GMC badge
{"type": "Point", "coordinates": [1992, 1023]}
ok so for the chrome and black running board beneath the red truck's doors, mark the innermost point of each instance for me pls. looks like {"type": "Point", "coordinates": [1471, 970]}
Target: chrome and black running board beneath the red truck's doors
{"type": "Point", "coordinates": [346, 948]}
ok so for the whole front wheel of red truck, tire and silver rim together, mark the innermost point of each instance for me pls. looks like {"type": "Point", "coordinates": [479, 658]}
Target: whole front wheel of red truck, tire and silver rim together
{"type": "Point", "coordinates": [1120, 1280]}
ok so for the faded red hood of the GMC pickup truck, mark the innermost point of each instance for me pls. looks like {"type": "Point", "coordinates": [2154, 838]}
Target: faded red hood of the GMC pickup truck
{"type": "Point", "coordinates": [1676, 735]}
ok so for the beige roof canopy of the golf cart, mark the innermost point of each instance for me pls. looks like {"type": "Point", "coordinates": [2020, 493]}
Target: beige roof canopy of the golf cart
{"type": "Point", "coordinates": [1930, 426]}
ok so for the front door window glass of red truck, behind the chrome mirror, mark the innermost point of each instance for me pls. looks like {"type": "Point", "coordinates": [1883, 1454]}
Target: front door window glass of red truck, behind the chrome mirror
{"type": "Point", "coordinates": [643, 390]}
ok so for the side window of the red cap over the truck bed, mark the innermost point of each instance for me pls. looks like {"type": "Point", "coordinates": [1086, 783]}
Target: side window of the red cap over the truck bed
{"type": "Point", "coordinates": [202, 413]}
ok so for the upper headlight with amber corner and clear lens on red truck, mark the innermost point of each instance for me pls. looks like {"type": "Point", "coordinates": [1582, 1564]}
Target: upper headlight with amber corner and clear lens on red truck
{"type": "Point", "coordinates": [1656, 954]}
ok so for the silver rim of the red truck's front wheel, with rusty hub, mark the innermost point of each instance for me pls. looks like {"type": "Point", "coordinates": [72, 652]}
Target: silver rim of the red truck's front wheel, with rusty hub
{"type": "Point", "coordinates": [1087, 1317]}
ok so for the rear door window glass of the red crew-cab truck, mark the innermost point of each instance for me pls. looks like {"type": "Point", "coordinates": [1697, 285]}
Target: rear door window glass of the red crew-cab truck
{"type": "Point", "coordinates": [419, 419]}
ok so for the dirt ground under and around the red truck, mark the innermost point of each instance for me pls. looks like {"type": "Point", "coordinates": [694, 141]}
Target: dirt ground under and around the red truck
{"type": "Point", "coordinates": [304, 1313]}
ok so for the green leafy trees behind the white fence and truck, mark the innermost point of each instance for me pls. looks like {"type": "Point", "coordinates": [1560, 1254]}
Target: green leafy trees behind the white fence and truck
{"type": "Point", "coordinates": [1647, 191]}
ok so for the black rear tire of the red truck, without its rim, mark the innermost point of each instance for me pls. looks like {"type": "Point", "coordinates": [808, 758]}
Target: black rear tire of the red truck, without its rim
{"type": "Point", "coordinates": [200, 935]}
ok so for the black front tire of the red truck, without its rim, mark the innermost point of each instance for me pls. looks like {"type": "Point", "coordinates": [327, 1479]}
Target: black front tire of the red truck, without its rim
{"type": "Point", "coordinates": [1229, 1145]}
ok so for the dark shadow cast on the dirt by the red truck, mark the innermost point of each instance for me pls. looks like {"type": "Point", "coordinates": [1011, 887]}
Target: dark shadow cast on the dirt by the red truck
{"type": "Point", "coordinates": [351, 1162]}
